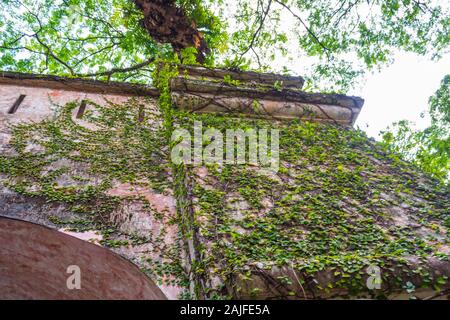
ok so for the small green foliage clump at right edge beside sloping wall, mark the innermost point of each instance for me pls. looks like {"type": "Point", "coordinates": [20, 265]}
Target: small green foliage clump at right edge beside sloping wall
{"type": "Point", "coordinates": [429, 148]}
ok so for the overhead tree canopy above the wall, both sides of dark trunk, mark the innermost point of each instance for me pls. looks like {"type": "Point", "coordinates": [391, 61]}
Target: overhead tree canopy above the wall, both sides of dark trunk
{"type": "Point", "coordinates": [331, 42]}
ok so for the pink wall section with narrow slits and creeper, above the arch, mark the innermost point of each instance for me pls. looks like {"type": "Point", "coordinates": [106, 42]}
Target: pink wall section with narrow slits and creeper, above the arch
{"type": "Point", "coordinates": [103, 177]}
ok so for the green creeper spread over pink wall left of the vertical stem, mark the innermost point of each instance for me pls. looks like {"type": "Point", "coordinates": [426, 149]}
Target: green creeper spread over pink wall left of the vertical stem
{"type": "Point", "coordinates": [73, 162]}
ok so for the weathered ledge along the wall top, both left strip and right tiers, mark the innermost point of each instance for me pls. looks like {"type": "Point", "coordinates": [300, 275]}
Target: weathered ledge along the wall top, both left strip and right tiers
{"type": "Point", "coordinates": [204, 90]}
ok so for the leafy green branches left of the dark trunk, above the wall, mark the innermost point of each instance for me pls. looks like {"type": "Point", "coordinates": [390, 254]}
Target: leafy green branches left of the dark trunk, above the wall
{"type": "Point", "coordinates": [74, 38]}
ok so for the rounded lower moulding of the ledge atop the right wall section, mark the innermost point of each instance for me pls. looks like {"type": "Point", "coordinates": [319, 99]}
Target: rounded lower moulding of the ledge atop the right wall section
{"type": "Point", "coordinates": [209, 96]}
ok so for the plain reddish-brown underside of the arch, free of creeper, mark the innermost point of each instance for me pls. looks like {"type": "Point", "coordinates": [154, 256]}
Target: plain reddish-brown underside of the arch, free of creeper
{"type": "Point", "coordinates": [34, 262]}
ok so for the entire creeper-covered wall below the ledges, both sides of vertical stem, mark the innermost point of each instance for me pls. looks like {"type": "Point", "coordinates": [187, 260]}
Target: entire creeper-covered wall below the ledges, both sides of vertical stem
{"type": "Point", "coordinates": [337, 205]}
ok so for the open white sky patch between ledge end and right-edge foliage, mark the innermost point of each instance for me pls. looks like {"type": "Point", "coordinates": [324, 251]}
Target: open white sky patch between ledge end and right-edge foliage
{"type": "Point", "coordinates": [400, 91]}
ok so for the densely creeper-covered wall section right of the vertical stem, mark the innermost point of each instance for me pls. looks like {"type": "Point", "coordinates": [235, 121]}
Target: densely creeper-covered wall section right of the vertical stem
{"type": "Point", "coordinates": [337, 205]}
